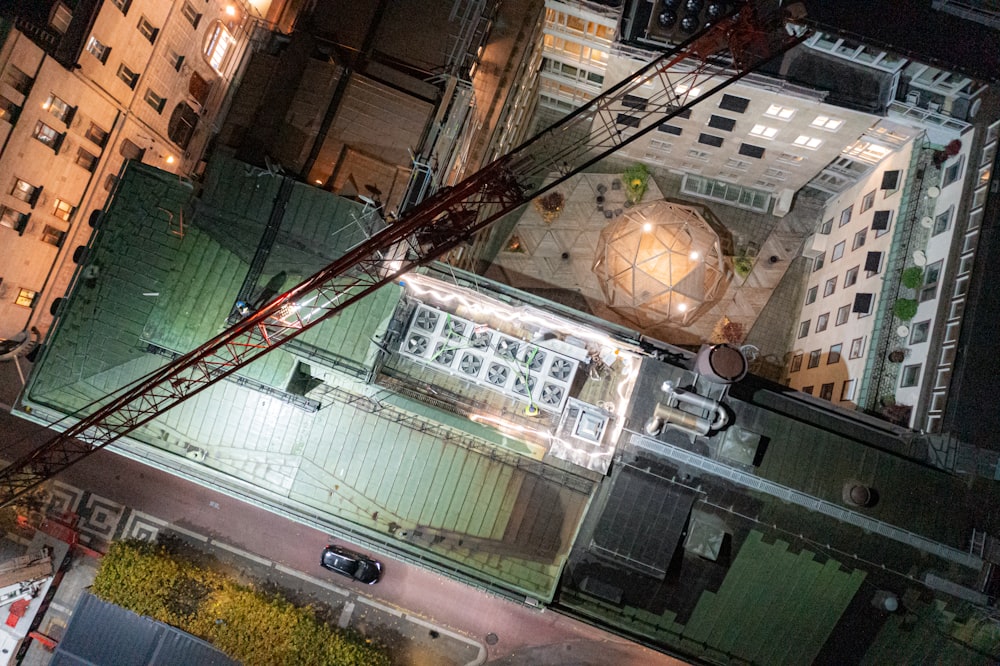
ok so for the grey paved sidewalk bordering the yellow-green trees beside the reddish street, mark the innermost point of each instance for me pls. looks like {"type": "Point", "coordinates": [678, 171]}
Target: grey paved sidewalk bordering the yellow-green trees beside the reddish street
{"type": "Point", "coordinates": [410, 639]}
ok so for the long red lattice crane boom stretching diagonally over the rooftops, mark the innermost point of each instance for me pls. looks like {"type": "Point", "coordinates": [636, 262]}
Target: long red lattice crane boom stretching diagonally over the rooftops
{"type": "Point", "coordinates": [666, 87]}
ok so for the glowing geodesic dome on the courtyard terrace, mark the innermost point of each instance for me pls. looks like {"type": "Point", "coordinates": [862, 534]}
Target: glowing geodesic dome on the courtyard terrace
{"type": "Point", "coordinates": [660, 263]}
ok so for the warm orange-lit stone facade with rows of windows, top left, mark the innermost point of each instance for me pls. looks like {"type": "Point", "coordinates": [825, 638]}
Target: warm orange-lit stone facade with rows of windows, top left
{"type": "Point", "coordinates": [149, 83]}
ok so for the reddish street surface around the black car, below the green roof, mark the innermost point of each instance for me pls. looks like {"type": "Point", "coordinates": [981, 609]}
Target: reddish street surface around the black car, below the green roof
{"type": "Point", "coordinates": [525, 635]}
